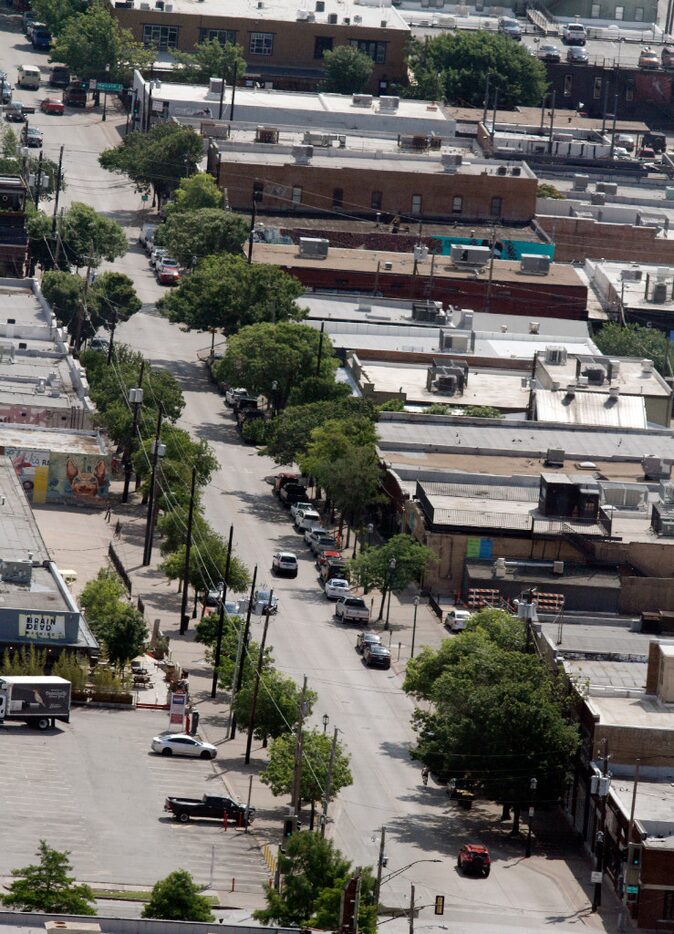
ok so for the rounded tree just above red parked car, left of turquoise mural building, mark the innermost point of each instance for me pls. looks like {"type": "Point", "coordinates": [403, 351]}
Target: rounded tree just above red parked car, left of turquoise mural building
{"type": "Point", "coordinates": [192, 235]}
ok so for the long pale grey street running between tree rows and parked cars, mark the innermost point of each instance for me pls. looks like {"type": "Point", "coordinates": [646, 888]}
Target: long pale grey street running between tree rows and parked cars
{"type": "Point", "coordinates": [369, 707]}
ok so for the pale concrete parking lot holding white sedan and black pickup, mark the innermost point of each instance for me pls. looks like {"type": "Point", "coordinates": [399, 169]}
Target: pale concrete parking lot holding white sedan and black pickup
{"type": "Point", "coordinates": [93, 787]}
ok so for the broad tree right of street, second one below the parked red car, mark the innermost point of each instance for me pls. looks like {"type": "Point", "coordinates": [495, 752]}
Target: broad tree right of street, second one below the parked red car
{"type": "Point", "coordinates": [284, 353]}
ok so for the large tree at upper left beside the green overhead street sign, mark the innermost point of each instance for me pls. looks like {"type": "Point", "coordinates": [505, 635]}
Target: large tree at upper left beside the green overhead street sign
{"type": "Point", "coordinates": [89, 42]}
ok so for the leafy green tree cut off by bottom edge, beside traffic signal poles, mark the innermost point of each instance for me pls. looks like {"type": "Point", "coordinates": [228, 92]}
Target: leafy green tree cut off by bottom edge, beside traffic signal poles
{"type": "Point", "coordinates": [314, 875]}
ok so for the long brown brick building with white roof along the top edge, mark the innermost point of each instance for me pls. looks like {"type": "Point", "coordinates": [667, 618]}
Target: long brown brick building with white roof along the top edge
{"type": "Point", "coordinates": [280, 40]}
